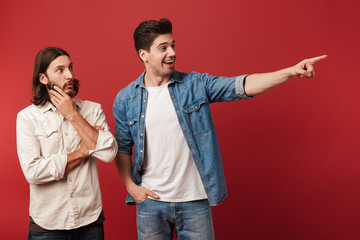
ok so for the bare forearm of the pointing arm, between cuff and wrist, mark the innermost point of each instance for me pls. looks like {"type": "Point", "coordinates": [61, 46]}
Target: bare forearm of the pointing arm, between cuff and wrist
{"type": "Point", "coordinates": [258, 83]}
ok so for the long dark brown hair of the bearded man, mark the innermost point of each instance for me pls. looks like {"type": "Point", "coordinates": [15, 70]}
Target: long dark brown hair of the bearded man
{"type": "Point", "coordinates": [42, 61]}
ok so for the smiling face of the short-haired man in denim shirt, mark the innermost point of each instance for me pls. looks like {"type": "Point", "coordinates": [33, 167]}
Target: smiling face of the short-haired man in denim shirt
{"type": "Point", "coordinates": [160, 59]}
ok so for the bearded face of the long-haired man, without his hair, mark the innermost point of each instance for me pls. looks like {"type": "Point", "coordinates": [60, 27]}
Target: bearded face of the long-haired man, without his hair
{"type": "Point", "coordinates": [60, 73]}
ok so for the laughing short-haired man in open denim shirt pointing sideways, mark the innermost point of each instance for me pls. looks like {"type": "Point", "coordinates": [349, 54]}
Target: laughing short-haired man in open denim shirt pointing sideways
{"type": "Point", "coordinates": [177, 172]}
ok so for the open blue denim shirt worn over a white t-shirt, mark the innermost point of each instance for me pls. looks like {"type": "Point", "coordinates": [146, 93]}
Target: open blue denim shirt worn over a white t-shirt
{"type": "Point", "coordinates": [191, 95]}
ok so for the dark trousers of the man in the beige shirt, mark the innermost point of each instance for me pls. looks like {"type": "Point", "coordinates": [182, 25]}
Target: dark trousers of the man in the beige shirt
{"type": "Point", "coordinates": [93, 232]}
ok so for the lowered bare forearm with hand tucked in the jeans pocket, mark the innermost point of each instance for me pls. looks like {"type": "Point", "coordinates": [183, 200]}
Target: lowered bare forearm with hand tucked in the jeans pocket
{"type": "Point", "coordinates": [124, 167]}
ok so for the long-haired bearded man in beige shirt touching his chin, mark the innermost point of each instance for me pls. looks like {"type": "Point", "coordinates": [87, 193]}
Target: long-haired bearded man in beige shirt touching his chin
{"type": "Point", "coordinates": [59, 138]}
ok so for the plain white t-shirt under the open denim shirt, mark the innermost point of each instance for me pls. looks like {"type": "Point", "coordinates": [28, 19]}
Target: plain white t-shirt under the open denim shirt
{"type": "Point", "coordinates": [169, 168]}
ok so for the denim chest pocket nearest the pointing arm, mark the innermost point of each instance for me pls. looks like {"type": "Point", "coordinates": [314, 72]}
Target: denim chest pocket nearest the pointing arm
{"type": "Point", "coordinates": [199, 116]}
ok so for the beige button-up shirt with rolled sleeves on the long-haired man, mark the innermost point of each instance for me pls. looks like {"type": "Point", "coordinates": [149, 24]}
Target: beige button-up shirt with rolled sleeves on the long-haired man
{"type": "Point", "coordinates": [44, 138]}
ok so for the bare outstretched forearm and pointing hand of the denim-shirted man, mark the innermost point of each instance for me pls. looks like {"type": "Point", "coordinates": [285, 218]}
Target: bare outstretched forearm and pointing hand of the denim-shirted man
{"type": "Point", "coordinates": [259, 83]}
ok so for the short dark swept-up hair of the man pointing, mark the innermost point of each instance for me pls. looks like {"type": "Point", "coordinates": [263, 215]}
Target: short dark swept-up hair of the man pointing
{"type": "Point", "coordinates": [148, 30]}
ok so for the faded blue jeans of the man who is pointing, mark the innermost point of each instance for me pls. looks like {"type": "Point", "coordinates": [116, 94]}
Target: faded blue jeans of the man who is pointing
{"type": "Point", "coordinates": [191, 220]}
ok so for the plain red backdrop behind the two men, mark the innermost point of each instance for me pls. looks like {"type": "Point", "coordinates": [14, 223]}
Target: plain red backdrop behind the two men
{"type": "Point", "coordinates": [291, 156]}
